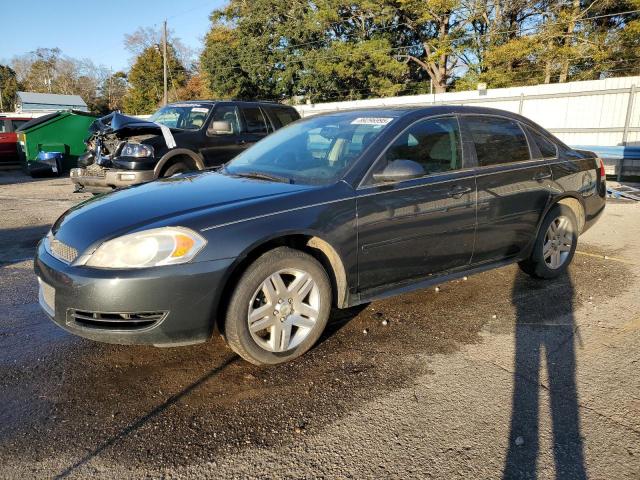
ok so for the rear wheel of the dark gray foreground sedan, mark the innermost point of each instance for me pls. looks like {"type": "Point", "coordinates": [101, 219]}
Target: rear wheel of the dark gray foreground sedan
{"type": "Point", "coordinates": [555, 245]}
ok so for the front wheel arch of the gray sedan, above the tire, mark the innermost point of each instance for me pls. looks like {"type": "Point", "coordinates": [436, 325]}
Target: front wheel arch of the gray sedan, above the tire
{"type": "Point", "coordinates": [307, 242]}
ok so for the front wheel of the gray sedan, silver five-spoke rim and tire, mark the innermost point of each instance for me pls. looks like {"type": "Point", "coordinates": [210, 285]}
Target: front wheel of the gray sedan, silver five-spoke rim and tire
{"type": "Point", "coordinates": [279, 308]}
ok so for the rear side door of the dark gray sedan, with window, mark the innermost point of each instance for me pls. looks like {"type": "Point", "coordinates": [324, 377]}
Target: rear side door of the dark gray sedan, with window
{"type": "Point", "coordinates": [513, 186]}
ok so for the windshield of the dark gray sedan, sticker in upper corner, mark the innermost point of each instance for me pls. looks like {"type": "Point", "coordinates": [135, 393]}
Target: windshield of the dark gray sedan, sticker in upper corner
{"type": "Point", "coordinates": [317, 150]}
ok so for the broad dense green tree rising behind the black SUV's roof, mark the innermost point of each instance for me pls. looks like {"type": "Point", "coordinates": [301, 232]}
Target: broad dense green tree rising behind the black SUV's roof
{"type": "Point", "coordinates": [289, 48]}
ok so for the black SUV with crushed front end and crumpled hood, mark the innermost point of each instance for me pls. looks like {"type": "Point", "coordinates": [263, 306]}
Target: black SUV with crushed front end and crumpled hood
{"type": "Point", "coordinates": [179, 137]}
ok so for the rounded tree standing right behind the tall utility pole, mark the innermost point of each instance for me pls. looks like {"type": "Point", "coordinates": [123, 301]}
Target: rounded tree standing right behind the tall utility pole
{"type": "Point", "coordinates": [146, 80]}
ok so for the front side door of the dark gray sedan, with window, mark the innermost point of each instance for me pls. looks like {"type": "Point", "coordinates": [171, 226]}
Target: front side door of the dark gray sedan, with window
{"type": "Point", "coordinates": [423, 226]}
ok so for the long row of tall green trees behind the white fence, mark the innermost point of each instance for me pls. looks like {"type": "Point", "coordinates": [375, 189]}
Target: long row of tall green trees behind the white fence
{"type": "Point", "coordinates": [334, 49]}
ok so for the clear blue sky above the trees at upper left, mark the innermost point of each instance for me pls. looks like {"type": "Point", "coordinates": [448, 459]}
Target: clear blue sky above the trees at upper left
{"type": "Point", "coordinates": [95, 30]}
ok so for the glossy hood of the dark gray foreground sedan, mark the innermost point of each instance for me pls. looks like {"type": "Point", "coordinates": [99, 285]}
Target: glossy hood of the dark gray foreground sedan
{"type": "Point", "coordinates": [195, 200]}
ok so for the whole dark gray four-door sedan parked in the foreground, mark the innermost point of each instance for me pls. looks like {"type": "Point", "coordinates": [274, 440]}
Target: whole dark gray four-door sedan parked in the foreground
{"type": "Point", "coordinates": [332, 211]}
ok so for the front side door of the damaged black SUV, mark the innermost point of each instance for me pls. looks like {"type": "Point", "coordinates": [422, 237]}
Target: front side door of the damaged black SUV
{"type": "Point", "coordinates": [221, 147]}
